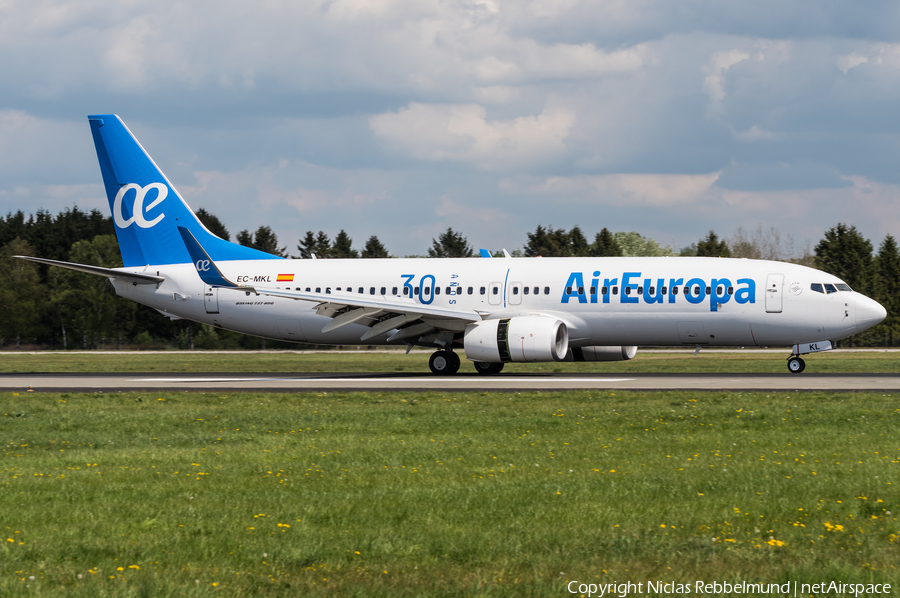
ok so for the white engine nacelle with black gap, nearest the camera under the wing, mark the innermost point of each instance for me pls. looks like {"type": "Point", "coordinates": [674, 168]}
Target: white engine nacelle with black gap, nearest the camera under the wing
{"type": "Point", "coordinates": [521, 338]}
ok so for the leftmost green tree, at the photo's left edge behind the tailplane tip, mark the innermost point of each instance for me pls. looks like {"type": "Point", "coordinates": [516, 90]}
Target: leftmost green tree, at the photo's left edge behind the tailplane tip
{"type": "Point", "coordinates": [20, 292]}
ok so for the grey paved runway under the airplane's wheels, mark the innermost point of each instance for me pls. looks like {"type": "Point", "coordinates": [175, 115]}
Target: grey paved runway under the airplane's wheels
{"type": "Point", "coordinates": [461, 382]}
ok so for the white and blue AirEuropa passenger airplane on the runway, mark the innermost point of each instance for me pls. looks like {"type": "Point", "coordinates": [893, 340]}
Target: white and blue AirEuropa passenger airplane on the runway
{"type": "Point", "coordinates": [493, 311]}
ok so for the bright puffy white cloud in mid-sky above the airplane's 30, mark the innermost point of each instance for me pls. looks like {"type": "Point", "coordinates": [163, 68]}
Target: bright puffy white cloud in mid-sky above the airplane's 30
{"type": "Point", "coordinates": [462, 133]}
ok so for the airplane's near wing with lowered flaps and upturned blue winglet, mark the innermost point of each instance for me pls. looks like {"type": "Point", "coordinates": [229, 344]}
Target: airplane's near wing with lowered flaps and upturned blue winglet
{"type": "Point", "coordinates": [409, 319]}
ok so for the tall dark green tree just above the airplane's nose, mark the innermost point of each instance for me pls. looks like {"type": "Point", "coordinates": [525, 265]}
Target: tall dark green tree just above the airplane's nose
{"type": "Point", "coordinates": [845, 253]}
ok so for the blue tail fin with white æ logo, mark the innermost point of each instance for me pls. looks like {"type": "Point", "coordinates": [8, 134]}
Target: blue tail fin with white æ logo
{"type": "Point", "coordinates": [146, 208]}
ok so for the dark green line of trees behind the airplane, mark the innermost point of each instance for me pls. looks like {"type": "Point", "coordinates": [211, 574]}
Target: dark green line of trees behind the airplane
{"type": "Point", "coordinates": [57, 308]}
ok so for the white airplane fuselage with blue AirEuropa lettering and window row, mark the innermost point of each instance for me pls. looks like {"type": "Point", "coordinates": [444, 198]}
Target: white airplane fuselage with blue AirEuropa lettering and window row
{"type": "Point", "coordinates": [603, 301]}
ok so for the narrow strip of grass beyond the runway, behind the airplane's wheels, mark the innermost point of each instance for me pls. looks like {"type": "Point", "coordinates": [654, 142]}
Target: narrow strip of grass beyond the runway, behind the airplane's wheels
{"type": "Point", "coordinates": [336, 361]}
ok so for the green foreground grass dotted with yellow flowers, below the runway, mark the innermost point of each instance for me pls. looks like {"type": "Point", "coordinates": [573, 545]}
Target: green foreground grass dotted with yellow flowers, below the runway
{"type": "Point", "coordinates": [356, 494]}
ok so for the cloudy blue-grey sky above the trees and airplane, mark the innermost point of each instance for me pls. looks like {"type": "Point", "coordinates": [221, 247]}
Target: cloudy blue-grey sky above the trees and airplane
{"type": "Point", "coordinates": [401, 118]}
